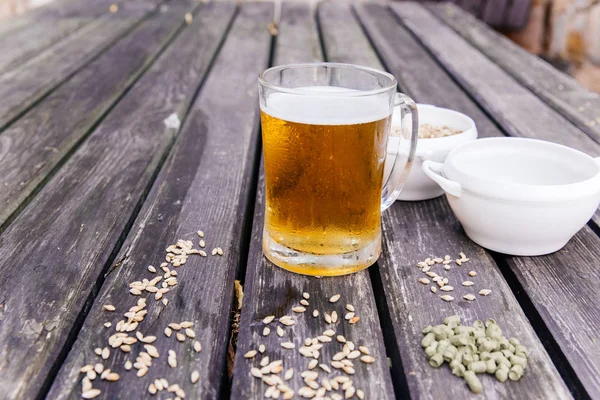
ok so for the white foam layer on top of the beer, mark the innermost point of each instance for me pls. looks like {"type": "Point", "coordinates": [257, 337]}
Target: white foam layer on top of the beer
{"type": "Point", "coordinates": [328, 108]}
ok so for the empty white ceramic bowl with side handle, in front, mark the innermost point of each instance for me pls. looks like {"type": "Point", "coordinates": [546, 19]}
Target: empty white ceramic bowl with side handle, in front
{"type": "Point", "coordinates": [519, 196]}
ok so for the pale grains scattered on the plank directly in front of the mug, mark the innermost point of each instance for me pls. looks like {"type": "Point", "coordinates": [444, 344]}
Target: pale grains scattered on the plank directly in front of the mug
{"type": "Point", "coordinates": [336, 384]}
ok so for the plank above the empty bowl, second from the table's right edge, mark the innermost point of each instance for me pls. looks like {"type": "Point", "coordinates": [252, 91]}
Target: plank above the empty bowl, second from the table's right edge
{"type": "Point", "coordinates": [518, 111]}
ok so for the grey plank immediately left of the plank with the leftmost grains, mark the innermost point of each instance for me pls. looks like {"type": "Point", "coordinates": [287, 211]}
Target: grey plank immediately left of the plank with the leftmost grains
{"type": "Point", "coordinates": [53, 255]}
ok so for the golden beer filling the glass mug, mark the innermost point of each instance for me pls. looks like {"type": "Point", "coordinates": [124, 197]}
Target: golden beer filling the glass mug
{"type": "Point", "coordinates": [324, 179]}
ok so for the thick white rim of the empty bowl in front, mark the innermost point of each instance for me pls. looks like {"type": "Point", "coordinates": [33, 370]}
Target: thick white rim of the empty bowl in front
{"type": "Point", "coordinates": [520, 192]}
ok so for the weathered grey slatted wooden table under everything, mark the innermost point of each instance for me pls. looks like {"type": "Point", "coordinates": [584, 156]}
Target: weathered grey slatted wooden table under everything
{"type": "Point", "coordinates": [95, 186]}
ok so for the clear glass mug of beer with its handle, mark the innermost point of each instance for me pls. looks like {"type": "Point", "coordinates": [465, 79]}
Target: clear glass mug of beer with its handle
{"type": "Point", "coordinates": [325, 129]}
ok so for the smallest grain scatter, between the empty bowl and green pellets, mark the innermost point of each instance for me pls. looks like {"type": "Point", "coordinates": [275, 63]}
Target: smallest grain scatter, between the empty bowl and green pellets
{"type": "Point", "coordinates": [443, 283]}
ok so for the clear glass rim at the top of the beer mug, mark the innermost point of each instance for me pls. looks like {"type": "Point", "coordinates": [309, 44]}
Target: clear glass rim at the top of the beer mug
{"type": "Point", "coordinates": [263, 81]}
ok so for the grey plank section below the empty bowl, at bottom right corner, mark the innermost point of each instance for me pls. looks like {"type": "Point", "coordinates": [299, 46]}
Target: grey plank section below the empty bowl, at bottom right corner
{"type": "Point", "coordinates": [563, 288]}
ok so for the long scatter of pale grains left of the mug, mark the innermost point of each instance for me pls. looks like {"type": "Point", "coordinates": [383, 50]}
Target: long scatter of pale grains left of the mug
{"type": "Point", "coordinates": [128, 338]}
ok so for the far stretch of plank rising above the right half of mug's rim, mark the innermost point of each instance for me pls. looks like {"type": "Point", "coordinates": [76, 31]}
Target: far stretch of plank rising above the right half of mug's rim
{"type": "Point", "coordinates": [341, 35]}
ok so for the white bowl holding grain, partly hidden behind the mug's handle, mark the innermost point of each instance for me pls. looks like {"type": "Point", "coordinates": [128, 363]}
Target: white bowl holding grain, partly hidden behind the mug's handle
{"type": "Point", "coordinates": [418, 186]}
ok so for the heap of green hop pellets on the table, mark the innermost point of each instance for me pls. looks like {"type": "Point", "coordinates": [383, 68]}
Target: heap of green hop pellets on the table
{"type": "Point", "coordinates": [477, 349]}
